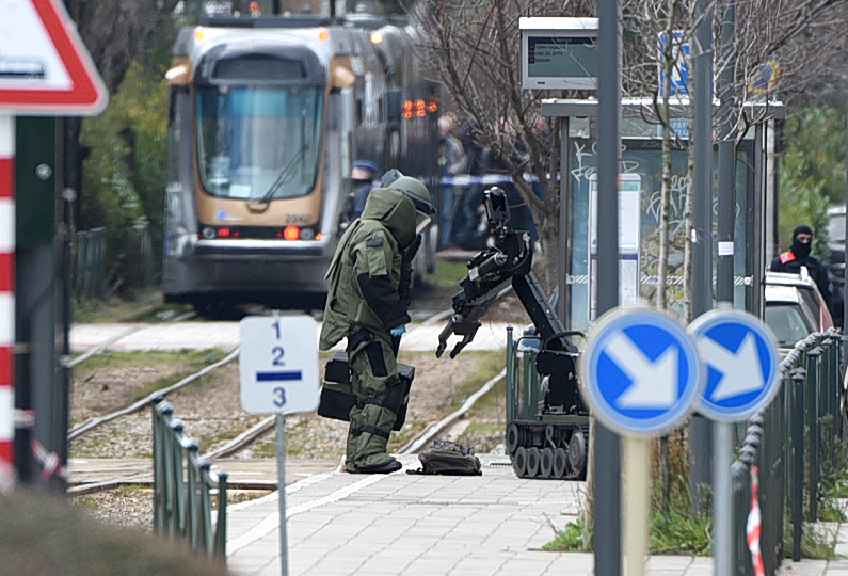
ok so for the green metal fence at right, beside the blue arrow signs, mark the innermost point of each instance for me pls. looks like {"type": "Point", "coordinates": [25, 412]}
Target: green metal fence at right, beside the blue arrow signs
{"type": "Point", "coordinates": [789, 444]}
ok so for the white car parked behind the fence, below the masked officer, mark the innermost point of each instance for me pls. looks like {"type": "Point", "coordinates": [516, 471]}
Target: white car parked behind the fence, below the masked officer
{"type": "Point", "coordinates": [794, 307]}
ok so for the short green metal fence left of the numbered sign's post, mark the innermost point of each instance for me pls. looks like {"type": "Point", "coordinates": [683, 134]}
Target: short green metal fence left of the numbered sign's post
{"type": "Point", "coordinates": [186, 489]}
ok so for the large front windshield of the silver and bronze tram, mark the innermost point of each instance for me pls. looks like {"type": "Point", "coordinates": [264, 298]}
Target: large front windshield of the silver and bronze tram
{"type": "Point", "coordinates": [258, 143]}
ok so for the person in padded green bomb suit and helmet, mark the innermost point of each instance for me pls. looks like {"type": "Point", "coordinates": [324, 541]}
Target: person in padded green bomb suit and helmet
{"type": "Point", "coordinates": [370, 284]}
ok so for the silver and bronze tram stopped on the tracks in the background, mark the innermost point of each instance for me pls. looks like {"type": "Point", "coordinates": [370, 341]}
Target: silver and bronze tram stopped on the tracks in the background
{"type": "Point", "coordinates": [266, 118]}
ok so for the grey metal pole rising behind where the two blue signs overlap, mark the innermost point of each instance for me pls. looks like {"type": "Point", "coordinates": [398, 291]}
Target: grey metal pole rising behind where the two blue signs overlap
{"type": "Point", "coordinates": [702, 229]}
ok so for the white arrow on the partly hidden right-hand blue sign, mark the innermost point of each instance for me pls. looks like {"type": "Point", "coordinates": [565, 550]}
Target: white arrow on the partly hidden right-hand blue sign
{"type": "Point", "coordinates": [741, 369]}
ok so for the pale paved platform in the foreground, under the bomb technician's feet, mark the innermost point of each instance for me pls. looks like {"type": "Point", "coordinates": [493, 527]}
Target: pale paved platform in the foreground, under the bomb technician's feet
{"type": "Point", "coordinates": [403, 525]}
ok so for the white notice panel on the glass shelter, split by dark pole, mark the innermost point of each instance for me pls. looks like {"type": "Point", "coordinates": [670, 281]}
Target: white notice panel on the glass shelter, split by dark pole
{"type": "Point", "coordinates": [629, 240]}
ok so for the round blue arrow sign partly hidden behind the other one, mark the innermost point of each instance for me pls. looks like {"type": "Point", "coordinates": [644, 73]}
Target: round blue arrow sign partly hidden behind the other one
{"type": "Point", "coordinates": [742, 362]}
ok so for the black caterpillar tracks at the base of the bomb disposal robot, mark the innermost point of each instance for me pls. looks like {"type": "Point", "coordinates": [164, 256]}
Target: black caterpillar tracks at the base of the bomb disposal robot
{"type": "Point", "coordinates": [548, 450]}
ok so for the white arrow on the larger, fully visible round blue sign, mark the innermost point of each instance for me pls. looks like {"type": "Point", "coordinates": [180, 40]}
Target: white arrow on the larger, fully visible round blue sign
{"type": "Point", "coordinates": [654, 383]}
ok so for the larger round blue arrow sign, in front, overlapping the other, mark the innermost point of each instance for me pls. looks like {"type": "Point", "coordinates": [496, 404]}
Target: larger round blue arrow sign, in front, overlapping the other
{"type": "Point", "coordinates": [641, 372]}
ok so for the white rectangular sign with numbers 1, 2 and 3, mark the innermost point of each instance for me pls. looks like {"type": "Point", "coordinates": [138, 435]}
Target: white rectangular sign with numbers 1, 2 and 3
{"type": "Point", "coordinates": [278, 363]}
